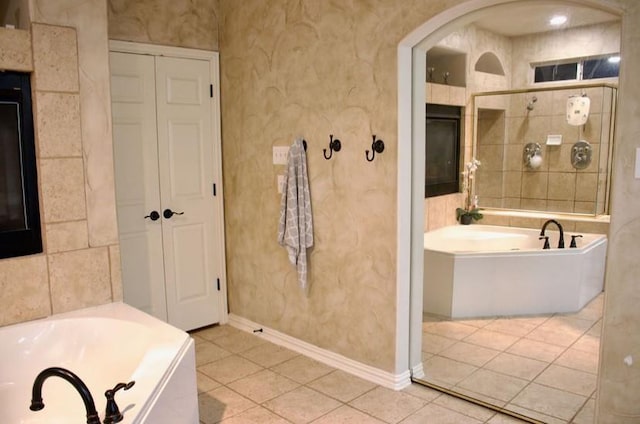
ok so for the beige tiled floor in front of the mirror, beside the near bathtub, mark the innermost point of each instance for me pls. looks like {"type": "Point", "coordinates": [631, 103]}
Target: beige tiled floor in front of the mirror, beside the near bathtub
{"type": "Point", "coordinates": [244, 379]}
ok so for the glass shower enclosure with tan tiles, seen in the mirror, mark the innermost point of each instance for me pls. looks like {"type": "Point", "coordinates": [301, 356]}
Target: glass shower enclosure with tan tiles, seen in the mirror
{"type": "Point", "coordinates": [534, 156]}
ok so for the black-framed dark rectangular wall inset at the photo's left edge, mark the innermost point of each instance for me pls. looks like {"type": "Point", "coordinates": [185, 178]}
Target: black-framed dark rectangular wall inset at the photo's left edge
{"type": "Point", "coordinates": [19, 212]}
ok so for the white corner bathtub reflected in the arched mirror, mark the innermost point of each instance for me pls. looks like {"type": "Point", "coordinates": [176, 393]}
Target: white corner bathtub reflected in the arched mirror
{"type": "Point", "coordinates": [481, 270]}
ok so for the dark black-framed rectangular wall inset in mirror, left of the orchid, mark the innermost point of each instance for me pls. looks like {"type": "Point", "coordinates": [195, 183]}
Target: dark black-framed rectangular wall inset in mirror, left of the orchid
{"type": "Point", "coordinates": [442, 150]}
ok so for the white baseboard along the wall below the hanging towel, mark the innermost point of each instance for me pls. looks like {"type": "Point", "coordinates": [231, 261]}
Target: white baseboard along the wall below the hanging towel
{"type": "Point", "coordinates": [367, 372]}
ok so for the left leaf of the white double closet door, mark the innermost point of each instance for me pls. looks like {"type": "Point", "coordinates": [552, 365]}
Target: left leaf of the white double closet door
{"type": "Point", "coordinates": [133, 97]}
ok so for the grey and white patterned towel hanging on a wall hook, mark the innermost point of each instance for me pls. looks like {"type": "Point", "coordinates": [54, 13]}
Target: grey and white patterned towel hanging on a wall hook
{"type": "Point", "coordinates": [295, 229]}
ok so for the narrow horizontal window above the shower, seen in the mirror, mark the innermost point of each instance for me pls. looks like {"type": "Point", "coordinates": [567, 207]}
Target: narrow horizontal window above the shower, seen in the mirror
{"type": "Point", "coordinates": [578, 69]}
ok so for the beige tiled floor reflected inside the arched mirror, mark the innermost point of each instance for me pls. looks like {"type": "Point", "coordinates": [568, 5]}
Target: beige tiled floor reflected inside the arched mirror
{"type": "Point", "coordinates": [543, 367]}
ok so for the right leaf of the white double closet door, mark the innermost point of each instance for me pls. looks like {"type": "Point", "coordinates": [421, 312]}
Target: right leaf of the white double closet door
{"type": "Point", "coordinates": [185, 134]}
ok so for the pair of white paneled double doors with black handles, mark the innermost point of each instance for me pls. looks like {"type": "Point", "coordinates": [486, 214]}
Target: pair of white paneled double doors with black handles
{"type": "Point", "coordinates": [164, 145]}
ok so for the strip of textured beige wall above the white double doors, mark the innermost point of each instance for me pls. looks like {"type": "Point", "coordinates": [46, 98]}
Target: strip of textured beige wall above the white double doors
{"type": "Point", "coordinates": [181, 23]}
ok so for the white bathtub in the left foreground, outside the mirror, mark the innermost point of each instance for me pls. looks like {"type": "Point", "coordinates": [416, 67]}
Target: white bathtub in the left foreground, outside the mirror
{"type": "Point", "coordinates": [103, 345]}
